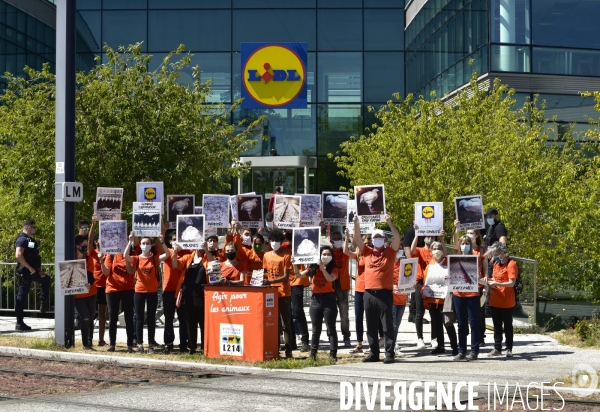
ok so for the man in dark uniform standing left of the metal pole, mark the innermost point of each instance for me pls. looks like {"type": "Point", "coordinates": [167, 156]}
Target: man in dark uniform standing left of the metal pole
{"type": "Point", "coordinates": [29, 269]}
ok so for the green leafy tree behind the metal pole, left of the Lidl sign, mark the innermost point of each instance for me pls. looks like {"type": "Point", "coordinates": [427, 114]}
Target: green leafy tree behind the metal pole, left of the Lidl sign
{"type": "Point", "coordinates": [132, 125]}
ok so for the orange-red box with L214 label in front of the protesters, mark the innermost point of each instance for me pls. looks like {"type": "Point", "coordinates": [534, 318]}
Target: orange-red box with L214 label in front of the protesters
{"type": "Point", "coordinates": [241, 323]}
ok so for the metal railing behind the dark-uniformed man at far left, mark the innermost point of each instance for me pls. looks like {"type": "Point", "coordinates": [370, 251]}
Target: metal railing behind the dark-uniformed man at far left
{"type": "Point", "coordinates": [9, 288]}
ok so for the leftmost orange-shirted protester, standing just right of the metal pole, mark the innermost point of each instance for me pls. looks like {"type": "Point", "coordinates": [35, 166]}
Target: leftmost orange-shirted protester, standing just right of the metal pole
{"type": "Point", "coordinates": [85, 303]}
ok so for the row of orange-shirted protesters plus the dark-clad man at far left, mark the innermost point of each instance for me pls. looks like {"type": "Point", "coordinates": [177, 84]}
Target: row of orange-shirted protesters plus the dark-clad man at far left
{"type": "Point", "coordinates": [129, 283]}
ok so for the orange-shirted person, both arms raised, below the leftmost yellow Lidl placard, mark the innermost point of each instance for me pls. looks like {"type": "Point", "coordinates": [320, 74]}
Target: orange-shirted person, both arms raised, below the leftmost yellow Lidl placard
{"type": "Point", "coordinates": [146, 286]}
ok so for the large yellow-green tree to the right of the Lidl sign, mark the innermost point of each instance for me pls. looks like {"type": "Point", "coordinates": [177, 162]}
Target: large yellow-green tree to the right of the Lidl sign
{"type": "Point", "coordinates": [429, 150]}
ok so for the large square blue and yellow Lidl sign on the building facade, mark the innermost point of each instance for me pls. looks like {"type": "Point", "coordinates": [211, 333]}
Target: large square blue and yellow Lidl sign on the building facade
{"type": "Point", "coordinates": [274, 75]}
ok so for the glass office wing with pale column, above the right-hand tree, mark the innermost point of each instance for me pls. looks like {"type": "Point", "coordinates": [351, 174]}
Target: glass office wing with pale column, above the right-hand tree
{"type": "Point", "coordinates": [545, 47]}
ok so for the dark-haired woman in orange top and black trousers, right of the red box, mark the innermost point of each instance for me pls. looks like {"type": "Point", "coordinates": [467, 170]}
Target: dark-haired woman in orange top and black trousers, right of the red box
{"type": "Point", "coordinates": [322, 302]}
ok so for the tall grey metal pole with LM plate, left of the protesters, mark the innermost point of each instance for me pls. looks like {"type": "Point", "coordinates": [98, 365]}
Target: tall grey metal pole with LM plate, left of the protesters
{"type": "Point", "coordinates": [65, 161]}
